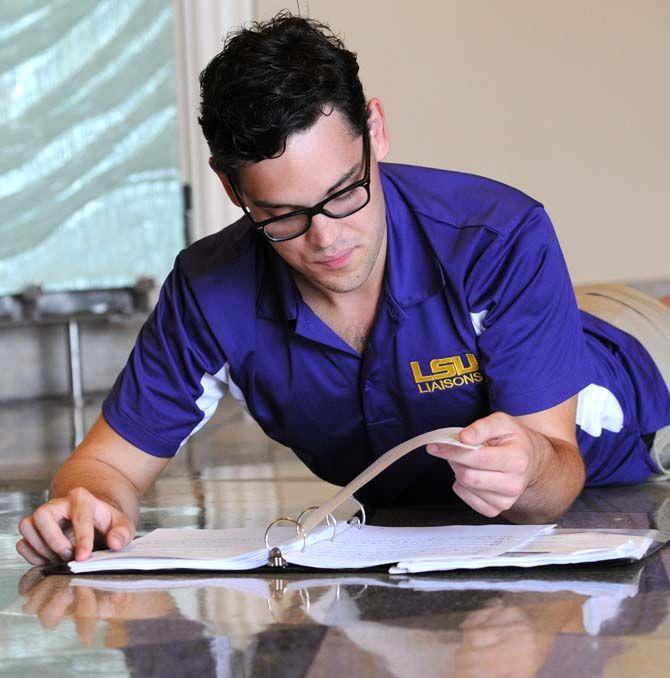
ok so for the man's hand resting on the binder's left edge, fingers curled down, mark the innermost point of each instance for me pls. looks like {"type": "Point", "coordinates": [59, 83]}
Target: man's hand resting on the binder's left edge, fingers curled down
{"type": "Point", "coordinates": [68, 526]}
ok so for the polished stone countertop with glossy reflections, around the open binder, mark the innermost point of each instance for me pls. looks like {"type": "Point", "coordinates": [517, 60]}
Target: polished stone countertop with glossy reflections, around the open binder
{"type": "Point", "coordinates": [587, 621]}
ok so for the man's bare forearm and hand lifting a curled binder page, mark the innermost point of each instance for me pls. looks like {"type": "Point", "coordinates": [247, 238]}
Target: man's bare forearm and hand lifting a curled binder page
{"type": "Point", "coordinates": [529, 469]}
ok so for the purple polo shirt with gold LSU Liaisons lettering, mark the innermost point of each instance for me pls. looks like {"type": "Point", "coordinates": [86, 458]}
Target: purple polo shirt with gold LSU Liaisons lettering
{"type": "Point", "coordinates": [477, 315]}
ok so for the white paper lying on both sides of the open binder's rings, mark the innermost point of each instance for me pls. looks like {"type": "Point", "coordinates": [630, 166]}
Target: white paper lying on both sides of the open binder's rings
{"type": "Point", "coordinates": [407, 549]}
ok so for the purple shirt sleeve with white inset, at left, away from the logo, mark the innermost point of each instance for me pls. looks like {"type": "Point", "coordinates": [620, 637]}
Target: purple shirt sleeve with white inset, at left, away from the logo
{"type": "Point", "coordinates": [174, 377]}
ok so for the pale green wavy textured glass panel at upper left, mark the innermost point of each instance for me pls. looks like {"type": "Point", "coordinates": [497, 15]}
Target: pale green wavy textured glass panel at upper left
{"type": "Point", "coordinates": [89, 179]}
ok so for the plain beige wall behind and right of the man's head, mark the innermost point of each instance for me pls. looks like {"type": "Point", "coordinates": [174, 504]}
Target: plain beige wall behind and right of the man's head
{"type": "Point", "coordinates": [569, 101]}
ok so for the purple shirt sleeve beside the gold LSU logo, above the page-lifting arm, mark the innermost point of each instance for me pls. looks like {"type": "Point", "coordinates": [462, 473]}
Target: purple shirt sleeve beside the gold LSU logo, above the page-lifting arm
{"type": "Point", "coordinates": [533, 352]}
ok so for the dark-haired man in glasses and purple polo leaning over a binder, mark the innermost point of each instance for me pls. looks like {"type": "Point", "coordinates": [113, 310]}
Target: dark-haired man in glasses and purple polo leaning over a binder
{"type": "Point", "coordinates": [358, 304]}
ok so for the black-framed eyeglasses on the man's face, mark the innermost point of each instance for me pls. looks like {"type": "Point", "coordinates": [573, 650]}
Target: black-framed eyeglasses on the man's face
{"type": "Point", "coordinates": [340, 204]}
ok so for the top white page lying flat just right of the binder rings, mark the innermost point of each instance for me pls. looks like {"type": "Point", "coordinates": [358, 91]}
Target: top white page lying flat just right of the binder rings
{"type": "Point", "coordinates": [369, 546]}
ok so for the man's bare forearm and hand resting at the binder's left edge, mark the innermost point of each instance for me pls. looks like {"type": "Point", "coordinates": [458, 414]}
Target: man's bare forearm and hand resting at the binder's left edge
{"type": "Point", "coordinates": [96, 492]}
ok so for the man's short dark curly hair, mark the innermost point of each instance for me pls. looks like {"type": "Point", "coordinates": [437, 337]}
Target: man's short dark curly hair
{"type": "Point", "coordinates": [271, 80]}
